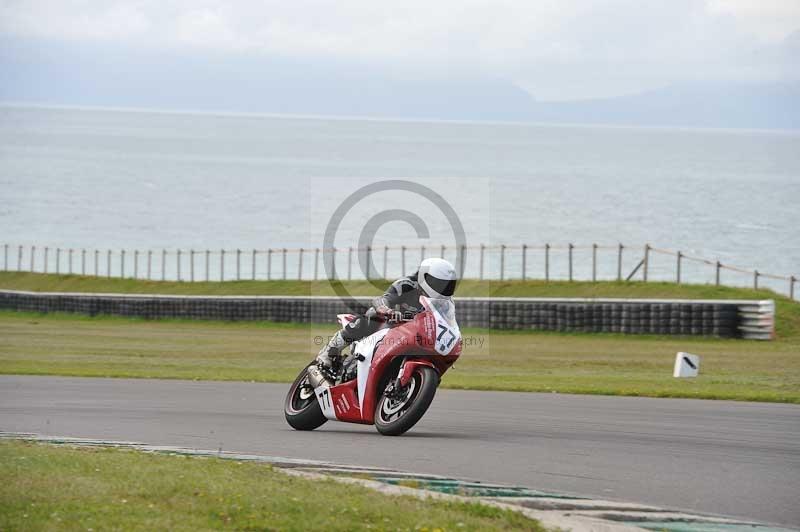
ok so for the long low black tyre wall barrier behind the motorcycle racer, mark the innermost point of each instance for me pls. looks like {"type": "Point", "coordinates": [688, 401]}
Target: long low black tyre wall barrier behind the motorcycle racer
{"type": "Point", "coordinates": [750, 319]}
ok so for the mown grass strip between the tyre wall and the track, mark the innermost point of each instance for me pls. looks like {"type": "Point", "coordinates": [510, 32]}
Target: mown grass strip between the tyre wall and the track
{"type": "Point", "coordinates": [60, 344]}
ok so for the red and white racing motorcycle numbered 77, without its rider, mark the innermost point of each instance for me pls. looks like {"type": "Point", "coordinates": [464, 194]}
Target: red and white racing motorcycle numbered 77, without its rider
{"type": "Point", "coordinates": [387, 379]}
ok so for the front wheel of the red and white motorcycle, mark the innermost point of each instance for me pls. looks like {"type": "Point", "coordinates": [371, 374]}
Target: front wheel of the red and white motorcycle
{"type": "Point", "coordinates": [402, 408]}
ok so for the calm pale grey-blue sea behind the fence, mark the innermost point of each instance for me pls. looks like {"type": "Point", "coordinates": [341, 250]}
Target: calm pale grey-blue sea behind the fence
{"type": "Point", "coordinates": [112, 179]}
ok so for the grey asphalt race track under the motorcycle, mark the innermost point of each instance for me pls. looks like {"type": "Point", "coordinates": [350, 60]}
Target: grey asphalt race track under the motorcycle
{"type": "Point", "coordinates": [719, 457]}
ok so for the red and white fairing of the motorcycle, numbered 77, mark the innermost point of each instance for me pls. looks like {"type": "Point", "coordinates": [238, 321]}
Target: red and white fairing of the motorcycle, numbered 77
{"type": "Point", "coordinates": [432, 338]}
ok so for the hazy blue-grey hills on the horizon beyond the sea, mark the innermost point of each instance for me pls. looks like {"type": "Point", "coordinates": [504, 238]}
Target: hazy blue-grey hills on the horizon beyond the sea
{"type": "Point", "coordinates": [70, 74]}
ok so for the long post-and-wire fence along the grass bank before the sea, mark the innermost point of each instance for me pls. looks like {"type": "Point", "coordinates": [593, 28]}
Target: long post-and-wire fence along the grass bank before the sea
{"type": "Point", "coordinates": [495, 262]}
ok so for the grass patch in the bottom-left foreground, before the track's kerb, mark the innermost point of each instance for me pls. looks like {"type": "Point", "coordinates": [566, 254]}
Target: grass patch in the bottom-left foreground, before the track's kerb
{"type": "Point", "coordinates": [61, 488]}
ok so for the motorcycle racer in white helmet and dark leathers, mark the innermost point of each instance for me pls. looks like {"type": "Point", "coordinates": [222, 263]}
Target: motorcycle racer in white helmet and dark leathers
{"type": "Point", "coordinates": [436, 278]}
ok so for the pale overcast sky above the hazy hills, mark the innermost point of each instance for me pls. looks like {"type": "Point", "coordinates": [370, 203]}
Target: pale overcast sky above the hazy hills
{"type": "Point", "coordinates": [555, 49]}
